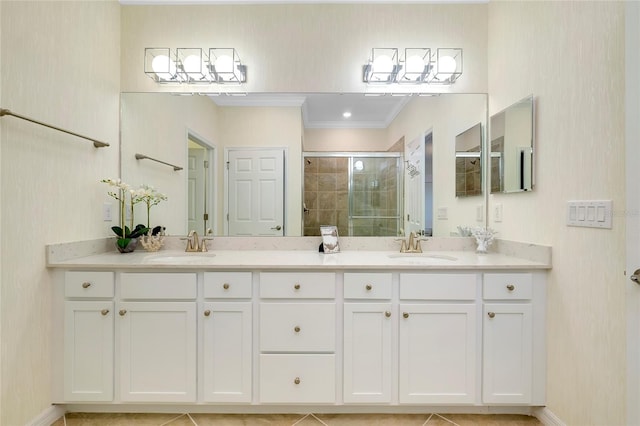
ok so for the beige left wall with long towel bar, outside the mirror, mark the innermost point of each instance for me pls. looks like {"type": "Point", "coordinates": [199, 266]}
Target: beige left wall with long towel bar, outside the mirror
{"type": "Point", "coordinates": [60, 64]}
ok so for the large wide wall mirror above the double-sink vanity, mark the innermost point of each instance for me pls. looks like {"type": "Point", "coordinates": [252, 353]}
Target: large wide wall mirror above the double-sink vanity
{"type": "Point", "coordinates": [223, 142]}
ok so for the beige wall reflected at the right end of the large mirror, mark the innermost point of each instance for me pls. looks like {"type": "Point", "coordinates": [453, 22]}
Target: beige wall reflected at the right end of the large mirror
{"type": "Point", "coordinates": [445, 116]}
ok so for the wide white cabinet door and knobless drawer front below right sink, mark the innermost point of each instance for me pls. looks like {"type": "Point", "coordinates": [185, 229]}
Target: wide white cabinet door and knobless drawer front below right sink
{"type": "Point", "coordinates": [438, 338]}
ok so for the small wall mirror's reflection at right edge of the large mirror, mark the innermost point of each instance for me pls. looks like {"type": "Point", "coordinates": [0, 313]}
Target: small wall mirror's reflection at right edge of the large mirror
{"type": "Point", "coordinates": [469, 162]}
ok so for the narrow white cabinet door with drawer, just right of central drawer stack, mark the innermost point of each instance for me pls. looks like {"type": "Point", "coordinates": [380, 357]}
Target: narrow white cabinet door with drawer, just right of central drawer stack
{"type": "Point", "coordinates": [368, 344]}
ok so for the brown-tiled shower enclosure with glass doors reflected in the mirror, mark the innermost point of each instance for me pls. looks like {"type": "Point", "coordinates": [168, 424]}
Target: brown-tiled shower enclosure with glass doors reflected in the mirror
{"type": "Point", "coordinates": [360, 193]}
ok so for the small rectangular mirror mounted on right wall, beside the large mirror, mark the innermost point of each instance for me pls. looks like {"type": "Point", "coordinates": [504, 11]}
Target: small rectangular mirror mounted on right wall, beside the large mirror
{"type": "Point", "coordinates": [512, 148]}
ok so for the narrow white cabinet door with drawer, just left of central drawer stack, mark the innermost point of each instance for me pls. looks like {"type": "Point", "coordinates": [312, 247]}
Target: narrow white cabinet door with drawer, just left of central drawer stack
{"type": "Point", "coordinates": [226, 318]}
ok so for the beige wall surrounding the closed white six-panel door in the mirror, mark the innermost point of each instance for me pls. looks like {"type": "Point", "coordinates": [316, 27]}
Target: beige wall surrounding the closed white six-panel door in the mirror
{"type": "Point", "coordinates": [268, 127]}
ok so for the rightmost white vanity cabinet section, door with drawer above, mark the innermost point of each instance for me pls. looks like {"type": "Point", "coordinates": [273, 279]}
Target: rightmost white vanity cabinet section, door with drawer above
{"type": "Point", "coordinates": [511, 342]}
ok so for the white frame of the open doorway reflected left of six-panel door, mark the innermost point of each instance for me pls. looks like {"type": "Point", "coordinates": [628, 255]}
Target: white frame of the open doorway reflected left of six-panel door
{"type": "Point", "coordinates": [211, 180]}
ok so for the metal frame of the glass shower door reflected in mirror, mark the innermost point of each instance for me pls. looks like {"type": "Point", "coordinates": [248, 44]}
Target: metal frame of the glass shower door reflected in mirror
{"type": "Point", "coordinates": [363, 154]}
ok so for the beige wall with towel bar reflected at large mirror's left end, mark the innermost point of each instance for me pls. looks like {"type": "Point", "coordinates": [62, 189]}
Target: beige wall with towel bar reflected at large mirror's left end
{"type": "Point", "coordinates": [157, 125]}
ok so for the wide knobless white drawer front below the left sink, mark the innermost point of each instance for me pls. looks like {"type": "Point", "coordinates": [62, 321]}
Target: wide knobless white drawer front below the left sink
{"type": "Point", "coordinates": [158, 286]}
